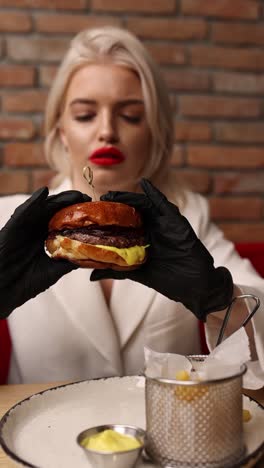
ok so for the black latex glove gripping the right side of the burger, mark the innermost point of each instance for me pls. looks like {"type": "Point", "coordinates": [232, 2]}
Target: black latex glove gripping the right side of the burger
{"type": "Point", "coordinates": [178, 265]}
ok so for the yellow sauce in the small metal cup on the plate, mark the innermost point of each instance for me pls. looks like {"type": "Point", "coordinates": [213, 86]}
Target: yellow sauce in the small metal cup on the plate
{"type": "Point", "coordinates": [110, 441]}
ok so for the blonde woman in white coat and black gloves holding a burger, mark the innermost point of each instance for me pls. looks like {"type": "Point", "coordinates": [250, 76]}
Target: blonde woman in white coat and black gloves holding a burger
{"type": "Point", "coordinates": [109, 108]}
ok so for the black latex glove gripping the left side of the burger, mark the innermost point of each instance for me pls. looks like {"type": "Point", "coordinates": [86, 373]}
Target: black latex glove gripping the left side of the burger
{"type": "Point", "coordinates": [25, 268]}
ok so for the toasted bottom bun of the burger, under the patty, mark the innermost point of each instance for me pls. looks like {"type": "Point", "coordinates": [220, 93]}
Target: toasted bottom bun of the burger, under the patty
{"type": "Point", "coordinates": [86, 255]}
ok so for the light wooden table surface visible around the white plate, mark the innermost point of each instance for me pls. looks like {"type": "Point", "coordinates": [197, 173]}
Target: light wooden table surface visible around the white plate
{"type": "Point", "coordinates": [12, 394]}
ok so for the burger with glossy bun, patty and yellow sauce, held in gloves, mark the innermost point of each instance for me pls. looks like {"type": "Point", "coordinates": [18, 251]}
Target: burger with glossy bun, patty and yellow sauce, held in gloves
{"type": "Point", "coordinates": [98, 234]}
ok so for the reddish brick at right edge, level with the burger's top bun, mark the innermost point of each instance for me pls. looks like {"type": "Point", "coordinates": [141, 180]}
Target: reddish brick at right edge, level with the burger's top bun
{"type": "Point", "coordinates": [241, 208]}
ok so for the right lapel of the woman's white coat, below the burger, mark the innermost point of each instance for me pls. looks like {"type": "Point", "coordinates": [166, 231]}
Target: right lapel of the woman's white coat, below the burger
{"type": "Point", "coordinates": [130, 302]}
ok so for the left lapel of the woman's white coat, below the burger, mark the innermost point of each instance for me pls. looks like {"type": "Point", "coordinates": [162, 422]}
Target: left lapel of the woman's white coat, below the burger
{"type": "Point", "coordinates": [85, 304]}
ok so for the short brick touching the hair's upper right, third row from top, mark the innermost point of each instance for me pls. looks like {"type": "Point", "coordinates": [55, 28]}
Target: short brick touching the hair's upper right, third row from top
{"type": "Point", "coordinates": [168, 53]}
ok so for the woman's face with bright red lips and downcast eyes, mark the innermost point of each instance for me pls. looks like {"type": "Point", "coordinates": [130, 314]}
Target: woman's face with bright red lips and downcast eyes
{"type": "Point", "coordinates": [103, 125]}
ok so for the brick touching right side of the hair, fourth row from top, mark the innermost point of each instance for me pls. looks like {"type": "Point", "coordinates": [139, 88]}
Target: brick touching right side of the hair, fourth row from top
{"type": "Point", "coordinates": [182, 80]}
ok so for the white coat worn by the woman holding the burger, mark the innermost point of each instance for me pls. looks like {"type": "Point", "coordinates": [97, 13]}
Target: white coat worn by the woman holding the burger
{"type": "Point", "coordinates": [69, 333]}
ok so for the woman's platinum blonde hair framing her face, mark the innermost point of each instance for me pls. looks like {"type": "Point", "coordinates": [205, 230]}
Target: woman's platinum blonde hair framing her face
{"type": "Point", "coordinates": [118, 46]}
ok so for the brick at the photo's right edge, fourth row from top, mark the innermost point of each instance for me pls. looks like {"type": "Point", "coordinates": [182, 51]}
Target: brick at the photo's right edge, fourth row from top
{"type": "Point", "coordinates": [246, 83]}
